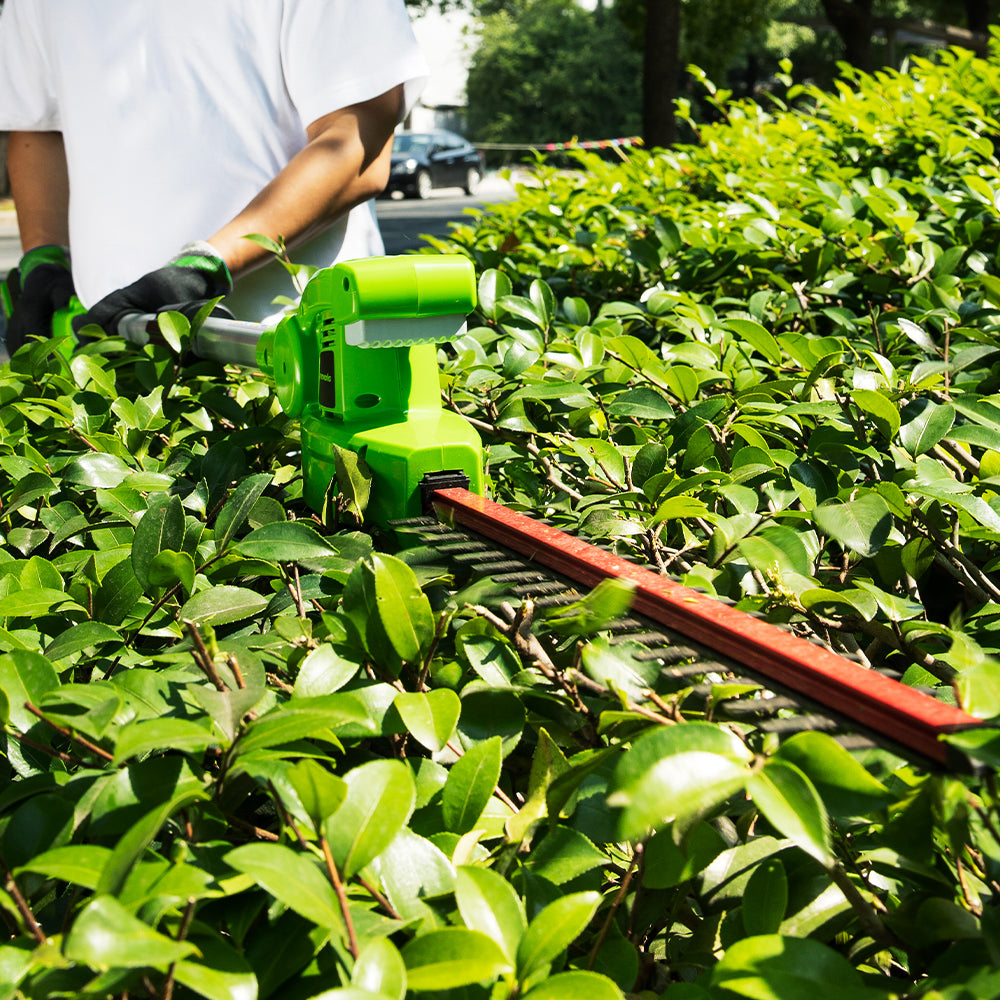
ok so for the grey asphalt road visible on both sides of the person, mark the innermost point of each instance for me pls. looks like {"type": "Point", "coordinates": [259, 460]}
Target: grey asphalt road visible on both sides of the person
{"type": "Point", "coordinates": [403, 222]}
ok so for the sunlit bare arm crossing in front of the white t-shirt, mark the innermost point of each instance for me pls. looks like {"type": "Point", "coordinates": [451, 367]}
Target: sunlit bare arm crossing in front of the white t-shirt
{"type": "Point", "coordinates": [345, 162]}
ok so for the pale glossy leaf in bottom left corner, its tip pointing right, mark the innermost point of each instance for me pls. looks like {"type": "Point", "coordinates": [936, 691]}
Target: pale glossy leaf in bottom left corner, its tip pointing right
{"type": "Point", "coordinates": [106, 936]}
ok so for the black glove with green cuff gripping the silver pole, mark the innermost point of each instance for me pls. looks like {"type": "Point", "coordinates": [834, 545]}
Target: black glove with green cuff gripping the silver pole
{"type": "Point", "coordinates": [194, 276]}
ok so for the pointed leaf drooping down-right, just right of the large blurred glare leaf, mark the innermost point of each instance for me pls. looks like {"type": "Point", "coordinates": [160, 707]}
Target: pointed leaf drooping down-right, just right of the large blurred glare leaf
{"type": "Point", "coordinates": [791, 804]}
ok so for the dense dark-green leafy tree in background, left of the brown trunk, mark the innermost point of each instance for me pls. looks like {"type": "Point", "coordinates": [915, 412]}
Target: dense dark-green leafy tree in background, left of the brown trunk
{"type": "Point", "coordinates": [552, 72]}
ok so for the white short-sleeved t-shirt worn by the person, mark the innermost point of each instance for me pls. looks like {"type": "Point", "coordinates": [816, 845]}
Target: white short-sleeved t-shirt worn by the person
{"type": "Point", "coordinates": [176, 113]}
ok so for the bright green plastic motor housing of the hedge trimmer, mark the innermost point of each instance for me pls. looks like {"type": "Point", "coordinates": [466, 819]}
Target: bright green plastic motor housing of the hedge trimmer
{"type": "Point", "coordinates": [358, 366]}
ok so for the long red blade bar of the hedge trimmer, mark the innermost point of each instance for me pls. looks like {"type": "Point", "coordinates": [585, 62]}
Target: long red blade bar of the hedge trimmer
{"type": "Point", "coordinates": [908, 717]}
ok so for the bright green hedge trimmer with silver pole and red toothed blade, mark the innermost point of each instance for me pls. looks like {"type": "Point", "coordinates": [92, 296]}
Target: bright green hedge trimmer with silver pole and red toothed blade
{"type": "Point", "coordinates": [356, 364]}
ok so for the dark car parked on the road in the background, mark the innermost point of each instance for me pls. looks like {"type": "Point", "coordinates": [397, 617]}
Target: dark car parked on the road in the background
{"type": "Point", "coordinates": [422, 161]}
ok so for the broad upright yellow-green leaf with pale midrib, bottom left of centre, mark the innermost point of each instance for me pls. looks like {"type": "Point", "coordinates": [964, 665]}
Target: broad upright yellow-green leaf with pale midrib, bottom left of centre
{"type": "Point", "coordinates": [380, 798]}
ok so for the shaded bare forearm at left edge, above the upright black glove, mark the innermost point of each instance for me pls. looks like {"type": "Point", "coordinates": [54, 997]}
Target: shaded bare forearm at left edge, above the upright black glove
{"type": "Point", "coordinates": [36, 164]}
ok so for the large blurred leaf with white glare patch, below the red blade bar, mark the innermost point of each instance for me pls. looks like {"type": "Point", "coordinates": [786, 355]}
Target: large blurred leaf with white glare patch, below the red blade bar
{"type": "Point", "coordinates": [676, 773]}
